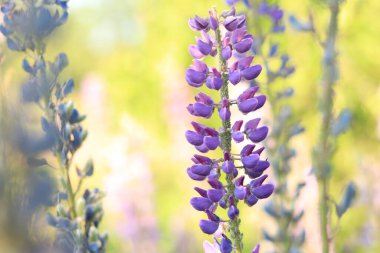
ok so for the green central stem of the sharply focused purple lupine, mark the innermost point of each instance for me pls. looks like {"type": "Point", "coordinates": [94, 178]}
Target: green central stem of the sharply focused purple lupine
{"type": "Point", "coordinates": [226, 138]}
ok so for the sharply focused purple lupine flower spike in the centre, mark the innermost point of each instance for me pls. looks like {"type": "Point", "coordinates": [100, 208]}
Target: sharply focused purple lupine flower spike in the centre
{"type": "Point", "coordinates": [227, 37]}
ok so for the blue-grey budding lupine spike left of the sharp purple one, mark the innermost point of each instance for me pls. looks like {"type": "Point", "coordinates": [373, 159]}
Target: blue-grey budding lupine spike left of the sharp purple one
{"type": "Point", "coordinates": [26, 25]}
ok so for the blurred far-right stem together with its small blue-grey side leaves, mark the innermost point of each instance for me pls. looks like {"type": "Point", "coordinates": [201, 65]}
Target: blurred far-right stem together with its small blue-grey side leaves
{"type": "Point", "coordinates": [330, 128]}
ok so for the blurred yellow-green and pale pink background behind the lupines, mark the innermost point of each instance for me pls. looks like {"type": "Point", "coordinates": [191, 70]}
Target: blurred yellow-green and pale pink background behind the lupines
{"type": "Point", "coordinates": [129, 58]}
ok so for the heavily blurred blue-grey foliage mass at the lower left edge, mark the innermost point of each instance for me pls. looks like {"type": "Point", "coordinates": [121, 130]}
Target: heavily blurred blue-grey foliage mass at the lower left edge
{"type": "Point", "coordinates": [25, 190]}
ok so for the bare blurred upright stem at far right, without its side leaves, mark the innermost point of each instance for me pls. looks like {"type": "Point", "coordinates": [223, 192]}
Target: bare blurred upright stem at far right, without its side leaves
{"type": "Point", "coordinates": [323, 149]}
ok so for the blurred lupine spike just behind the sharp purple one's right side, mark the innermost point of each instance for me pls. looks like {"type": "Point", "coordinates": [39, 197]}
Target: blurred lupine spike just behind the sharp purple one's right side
{"type": "Point", "coordinates": [267, 23]}
